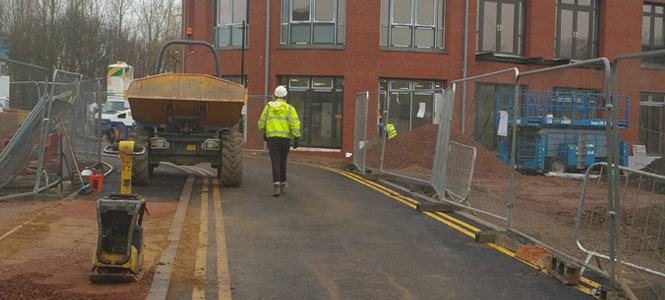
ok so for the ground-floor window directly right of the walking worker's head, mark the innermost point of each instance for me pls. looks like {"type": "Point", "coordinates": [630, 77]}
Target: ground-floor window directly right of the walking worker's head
{"type": "Point", "coordinates": [319, 103]}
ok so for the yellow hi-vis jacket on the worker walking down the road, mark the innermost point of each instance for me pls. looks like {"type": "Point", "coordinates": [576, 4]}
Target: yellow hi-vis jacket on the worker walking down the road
{"type": "Point", "coordinates": [279, 119]}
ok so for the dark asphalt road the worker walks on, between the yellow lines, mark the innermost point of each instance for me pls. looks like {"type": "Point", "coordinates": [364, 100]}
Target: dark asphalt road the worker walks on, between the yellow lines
{"type": "Point", "coordinates": [328, 237]}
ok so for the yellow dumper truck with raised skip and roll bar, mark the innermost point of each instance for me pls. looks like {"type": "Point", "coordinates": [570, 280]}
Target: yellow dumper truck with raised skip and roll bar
{"type": "Point", "coordinates": [186, 119]}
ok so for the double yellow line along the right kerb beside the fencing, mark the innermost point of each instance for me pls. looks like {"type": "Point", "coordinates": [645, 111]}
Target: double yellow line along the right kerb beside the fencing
{"type": "Point", "coordinates": [461, 226]}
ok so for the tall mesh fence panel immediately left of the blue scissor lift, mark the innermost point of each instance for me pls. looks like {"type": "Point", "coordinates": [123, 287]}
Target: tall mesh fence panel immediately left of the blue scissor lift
{"type": "Point", "coordinates": [473, 118]}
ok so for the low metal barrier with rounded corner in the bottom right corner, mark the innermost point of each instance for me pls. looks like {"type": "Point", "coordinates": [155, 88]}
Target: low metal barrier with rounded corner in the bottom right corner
{"type": "Point", "coordinates": [634, 251]}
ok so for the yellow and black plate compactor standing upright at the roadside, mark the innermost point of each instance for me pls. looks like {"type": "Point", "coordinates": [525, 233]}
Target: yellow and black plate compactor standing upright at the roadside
{"type": "Point", "coordinates": [119, 253]}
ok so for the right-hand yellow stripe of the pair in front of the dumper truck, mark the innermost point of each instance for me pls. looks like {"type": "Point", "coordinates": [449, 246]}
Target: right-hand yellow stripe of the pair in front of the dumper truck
{"type": "Point", "coordinates": [223, 274]}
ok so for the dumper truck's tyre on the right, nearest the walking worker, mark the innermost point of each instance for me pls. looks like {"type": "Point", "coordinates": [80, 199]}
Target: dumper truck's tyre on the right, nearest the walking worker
{"type": "Point", "coordinates": [230, 168]}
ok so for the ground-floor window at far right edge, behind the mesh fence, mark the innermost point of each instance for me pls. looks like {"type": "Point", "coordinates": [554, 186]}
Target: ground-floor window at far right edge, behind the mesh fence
{"type": "Point", "coordinates": [652, 116]}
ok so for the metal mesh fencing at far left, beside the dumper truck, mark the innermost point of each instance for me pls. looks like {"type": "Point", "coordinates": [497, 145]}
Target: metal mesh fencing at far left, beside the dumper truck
{"type": "Point", "coordinates": [34, 156]}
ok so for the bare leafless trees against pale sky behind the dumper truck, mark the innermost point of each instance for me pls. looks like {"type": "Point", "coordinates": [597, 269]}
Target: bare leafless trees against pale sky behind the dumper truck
{"type": "Point", "coordinates": [87, 35]}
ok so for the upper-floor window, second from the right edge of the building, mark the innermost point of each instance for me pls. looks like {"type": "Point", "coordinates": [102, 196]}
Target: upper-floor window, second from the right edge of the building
{"type": "Point", "coordinates": [577, 29]}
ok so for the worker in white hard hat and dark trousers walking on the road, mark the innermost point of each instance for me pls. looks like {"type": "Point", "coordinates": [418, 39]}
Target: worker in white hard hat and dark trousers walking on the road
{"type": "Point", "coordinates": [279, 123]}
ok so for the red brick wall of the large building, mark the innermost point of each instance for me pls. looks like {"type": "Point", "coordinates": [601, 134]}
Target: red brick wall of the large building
{"type": "Point", "coordinates": [361, 63]}
